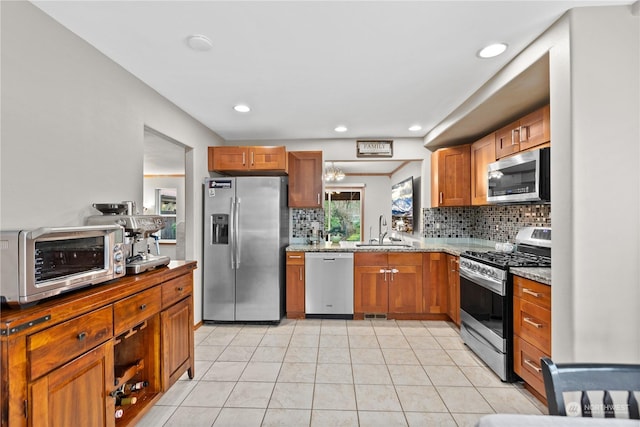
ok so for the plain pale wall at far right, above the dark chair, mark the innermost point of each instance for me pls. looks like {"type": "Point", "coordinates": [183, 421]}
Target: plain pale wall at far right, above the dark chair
{"type": "Point", "coordinates": [605, 146]}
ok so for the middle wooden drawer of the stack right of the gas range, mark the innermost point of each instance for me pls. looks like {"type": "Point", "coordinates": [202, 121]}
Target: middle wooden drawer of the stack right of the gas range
{"type": "Point", "coordinates": [532, 323]}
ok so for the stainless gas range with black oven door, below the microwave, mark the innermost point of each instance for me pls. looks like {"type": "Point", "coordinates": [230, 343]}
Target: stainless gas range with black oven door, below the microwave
{"type": "Point", "coordinates": [486, 296]}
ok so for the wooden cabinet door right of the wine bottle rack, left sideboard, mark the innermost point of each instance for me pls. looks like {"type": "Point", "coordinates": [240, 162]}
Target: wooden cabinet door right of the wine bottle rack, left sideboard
{"type": "Point", "coordinates": [177, 342]}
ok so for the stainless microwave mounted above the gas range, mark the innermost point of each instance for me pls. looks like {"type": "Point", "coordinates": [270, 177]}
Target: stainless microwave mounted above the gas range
{"type": "Point", "coordinates": [521, 178]}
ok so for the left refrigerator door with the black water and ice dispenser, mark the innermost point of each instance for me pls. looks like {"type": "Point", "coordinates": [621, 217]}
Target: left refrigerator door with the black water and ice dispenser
{"type": "Point", "coordinates": [218, 293]}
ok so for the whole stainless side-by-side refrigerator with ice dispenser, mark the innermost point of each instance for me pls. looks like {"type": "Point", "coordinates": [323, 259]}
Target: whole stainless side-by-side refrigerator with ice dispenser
{"type": "Point", "coordinates": [246, 227]}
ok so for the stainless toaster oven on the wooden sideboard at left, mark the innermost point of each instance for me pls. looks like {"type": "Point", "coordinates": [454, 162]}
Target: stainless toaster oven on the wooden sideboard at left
{"type": "Point", "coordinates": [41, 263]}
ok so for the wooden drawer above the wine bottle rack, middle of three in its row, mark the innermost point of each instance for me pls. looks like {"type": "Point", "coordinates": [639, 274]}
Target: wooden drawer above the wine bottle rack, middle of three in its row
{"type": "Point", "coordinates": [131, 311]}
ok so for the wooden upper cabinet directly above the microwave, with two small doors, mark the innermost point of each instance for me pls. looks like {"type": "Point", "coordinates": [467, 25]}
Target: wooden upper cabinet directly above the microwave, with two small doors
{"type": "Point", "coordinates": [530, 131]}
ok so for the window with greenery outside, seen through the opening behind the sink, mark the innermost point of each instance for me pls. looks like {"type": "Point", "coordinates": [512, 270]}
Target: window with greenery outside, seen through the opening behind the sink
{"type": "Point", "coordinates": [343, 212]}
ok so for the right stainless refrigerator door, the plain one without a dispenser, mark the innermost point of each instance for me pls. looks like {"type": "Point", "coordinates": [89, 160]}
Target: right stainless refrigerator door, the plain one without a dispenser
{"type": "Point", "coordinates": [259, 275]}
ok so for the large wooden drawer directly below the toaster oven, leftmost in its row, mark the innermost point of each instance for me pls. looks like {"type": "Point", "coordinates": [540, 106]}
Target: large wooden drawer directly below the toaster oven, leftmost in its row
{"type": "Point", "coordinates": [57, 345]}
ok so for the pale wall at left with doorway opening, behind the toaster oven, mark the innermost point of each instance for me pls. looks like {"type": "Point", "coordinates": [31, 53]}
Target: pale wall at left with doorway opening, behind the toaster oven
{"type": "Point", "coordinates": [72, 130]}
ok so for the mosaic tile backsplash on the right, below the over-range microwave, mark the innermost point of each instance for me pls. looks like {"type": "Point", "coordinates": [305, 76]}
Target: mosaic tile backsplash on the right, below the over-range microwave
{"type": "Point", "coordinates": [496, 223]}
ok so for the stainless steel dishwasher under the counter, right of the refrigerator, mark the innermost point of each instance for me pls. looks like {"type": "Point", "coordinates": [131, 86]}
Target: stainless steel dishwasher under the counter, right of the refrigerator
{"type": "Point", "coordinates": [328, 287]}
